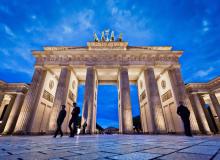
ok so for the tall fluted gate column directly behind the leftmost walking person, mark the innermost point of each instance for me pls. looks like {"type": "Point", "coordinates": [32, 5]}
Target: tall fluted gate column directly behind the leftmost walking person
{"type": "Point", "coordinates": [60, 96]}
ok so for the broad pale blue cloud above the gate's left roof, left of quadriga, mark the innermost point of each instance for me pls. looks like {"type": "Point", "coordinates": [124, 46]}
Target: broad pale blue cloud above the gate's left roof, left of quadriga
{"type": "Point", "coordinates": [76, 25]}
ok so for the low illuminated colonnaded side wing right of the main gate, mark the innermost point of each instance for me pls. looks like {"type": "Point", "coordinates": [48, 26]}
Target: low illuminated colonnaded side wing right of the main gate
{"type": "Point", "coordinates": [205, 98]}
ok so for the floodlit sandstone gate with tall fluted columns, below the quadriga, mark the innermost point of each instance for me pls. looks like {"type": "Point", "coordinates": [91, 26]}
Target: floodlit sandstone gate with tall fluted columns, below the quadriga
{"type": "Point", "coordinates": [59, 71]}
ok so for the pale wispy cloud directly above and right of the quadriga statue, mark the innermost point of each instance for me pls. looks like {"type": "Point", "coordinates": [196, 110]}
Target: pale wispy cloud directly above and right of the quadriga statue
{"type": "Point", "coordinates": [131, 23]}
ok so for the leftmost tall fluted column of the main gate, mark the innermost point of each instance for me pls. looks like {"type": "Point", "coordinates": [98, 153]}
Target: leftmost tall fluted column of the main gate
{"type": "Point", "coordinates": [29, 107]}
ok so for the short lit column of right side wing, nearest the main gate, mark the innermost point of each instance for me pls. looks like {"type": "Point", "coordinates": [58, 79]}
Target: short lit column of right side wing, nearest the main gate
{"type": "Point", "coordinates": [199, 113]}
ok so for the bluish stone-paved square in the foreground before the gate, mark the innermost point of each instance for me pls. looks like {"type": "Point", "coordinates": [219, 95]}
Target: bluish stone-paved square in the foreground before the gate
{"type": "Point", "coordinates": [108, 147]}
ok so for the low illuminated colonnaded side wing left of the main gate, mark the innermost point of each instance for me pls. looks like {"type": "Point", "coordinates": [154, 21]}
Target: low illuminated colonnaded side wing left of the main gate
{"type": "Point", "coordinates": [11, 99]}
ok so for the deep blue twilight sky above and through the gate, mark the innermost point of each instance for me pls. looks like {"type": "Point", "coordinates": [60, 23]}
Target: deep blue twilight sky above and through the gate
{"type": "Point", "coordinates": [189, 25]}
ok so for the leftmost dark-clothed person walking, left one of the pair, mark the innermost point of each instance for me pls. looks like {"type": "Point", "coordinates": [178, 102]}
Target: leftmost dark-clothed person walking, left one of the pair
{"type": "Point", "coordinates": [60, 120]}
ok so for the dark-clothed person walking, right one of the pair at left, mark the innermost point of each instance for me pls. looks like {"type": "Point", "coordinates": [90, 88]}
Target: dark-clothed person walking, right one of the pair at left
{"type": "Point", "coordinates": [73, 120]}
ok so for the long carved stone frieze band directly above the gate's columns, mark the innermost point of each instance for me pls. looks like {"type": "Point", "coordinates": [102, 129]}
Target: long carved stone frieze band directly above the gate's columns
{"type": "Point", "coordinates": [108, 59]}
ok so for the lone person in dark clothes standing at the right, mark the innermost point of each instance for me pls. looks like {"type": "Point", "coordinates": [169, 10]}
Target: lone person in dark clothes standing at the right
{"type": "Point", "coordinates": [184, 113]}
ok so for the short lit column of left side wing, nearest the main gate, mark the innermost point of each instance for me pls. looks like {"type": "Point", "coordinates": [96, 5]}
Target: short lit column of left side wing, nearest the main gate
{"type": "Point", "coordinates": [13, 116]}
